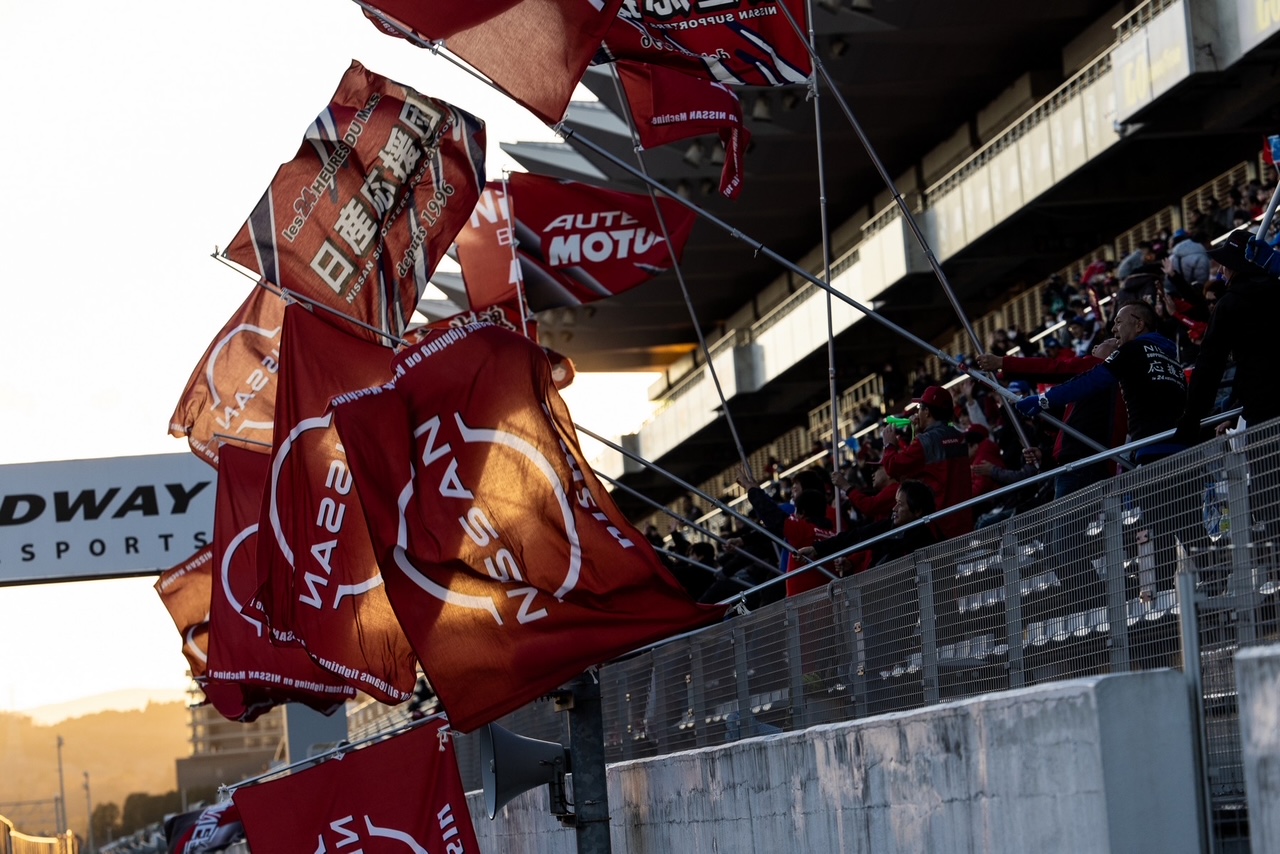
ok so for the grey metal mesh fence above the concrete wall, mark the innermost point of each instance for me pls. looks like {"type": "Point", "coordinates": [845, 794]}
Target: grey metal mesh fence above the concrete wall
{"type": "Point", "coordinates": [1078, 587]}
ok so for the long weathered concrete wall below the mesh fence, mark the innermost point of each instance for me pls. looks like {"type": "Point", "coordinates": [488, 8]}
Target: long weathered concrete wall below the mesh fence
{"type": "Point", "coordinates": [1098, 765]}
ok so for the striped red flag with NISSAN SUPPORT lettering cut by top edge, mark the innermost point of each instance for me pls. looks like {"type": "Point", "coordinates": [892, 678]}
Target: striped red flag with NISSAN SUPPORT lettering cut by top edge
{"type": "Point", "coordinates": [733, 43]}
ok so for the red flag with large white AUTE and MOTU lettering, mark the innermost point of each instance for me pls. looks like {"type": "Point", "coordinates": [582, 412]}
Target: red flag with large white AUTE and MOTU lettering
{"type": "Point", "coordinates": [577, 244]}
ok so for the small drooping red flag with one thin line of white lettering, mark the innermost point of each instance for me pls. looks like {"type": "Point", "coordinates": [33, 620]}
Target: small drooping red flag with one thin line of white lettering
{"type": "Point", "coordinates": [669, 106]}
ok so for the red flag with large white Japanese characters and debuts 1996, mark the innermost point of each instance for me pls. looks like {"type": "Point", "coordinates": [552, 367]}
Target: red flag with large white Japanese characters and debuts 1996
{"type": "Point", "coordinates": [360, 218]}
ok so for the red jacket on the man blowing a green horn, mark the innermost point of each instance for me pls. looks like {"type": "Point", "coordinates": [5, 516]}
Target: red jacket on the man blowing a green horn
{"type": "Point", "coordinates": [940, 459]}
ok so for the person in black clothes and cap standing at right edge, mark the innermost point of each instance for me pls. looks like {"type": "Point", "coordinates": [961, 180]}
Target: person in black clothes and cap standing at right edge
{"type": "Point", "coordinates": [1242, 325]}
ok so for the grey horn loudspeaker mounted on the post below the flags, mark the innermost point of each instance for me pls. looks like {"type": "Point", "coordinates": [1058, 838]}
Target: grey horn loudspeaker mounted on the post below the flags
{"type": "Point", "coordinates": [513, 765]}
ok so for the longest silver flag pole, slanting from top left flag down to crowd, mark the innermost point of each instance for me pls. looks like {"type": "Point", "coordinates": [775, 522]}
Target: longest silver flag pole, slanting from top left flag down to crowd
{"type": "Point", "coordinates": [758, 248]}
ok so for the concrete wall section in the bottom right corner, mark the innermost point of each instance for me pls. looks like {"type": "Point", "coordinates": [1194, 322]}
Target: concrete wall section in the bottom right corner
{"type": "Point", "coordinates": [1258, 679]}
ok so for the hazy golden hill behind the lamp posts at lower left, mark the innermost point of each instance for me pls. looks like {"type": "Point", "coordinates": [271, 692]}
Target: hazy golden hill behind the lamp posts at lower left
{"type": "Point", "coordinates": [124, 752]}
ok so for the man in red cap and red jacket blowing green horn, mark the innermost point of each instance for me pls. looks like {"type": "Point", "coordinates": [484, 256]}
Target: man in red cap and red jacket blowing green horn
{"type": "Point", "coordinates": [938, 456]}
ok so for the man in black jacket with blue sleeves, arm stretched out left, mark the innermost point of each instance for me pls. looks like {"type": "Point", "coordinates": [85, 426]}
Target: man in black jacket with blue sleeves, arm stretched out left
{"type": "Point", "coordinates": [1144, 363]}
